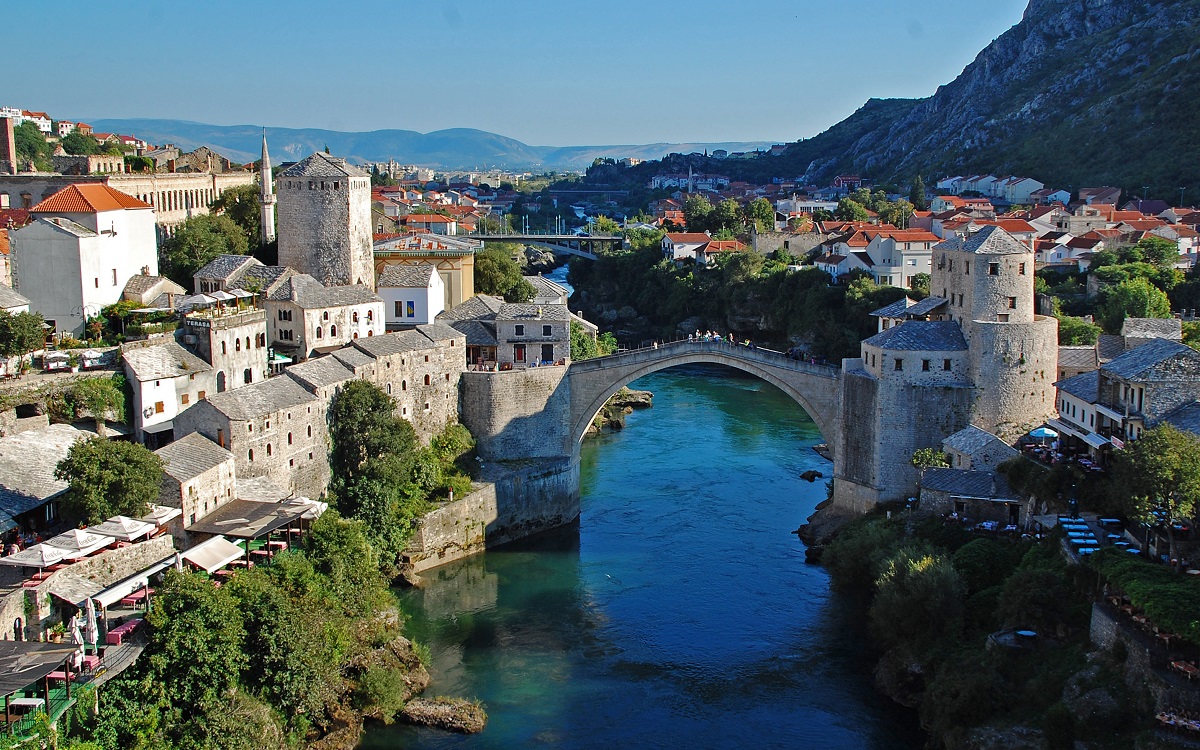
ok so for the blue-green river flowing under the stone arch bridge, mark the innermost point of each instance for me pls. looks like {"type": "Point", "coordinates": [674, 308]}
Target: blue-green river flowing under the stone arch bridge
{"type": "Point", "coordinates": [679, 613]}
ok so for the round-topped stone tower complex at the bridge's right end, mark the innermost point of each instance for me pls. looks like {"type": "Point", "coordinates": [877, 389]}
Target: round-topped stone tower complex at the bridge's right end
{"type": "Point", "coordinates": [977, 355]}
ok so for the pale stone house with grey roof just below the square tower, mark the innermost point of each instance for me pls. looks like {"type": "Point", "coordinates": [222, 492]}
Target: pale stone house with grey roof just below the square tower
{"type": "Point", "coordinates": [305, 317]}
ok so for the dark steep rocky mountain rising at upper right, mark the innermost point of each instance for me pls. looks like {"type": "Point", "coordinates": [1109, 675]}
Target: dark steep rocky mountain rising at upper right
{"type": "Point", "coordinates": [1078, 93]}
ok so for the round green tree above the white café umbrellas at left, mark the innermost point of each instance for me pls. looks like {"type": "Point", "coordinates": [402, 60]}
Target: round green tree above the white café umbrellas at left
{"type": "Point", "coordinates": [110, 478]}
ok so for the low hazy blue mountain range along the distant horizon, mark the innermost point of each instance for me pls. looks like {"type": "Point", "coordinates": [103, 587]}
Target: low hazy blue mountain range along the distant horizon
{"type": "Point", "coordinates": [448, 149]}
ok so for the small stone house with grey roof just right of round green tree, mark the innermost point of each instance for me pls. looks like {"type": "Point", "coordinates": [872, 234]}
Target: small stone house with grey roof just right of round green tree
{"type": "Point", "coordinates": [199, 477]}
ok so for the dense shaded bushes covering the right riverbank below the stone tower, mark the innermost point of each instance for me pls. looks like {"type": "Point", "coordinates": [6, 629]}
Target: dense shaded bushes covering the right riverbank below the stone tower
{"type": "Point", "coordinates": [933, 597]}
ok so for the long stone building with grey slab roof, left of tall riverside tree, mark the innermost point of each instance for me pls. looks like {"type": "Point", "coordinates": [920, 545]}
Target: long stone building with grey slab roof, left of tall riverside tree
{"type": "Point", "coordinates": [275, 429]}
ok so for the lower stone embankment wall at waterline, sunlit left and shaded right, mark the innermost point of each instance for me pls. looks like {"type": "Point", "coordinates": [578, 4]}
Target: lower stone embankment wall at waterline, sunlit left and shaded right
{"type": "Point", "coordinates": [517, 503]}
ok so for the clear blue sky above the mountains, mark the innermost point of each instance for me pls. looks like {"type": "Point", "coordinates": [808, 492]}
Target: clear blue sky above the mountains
{"type": "Point", "coordinates": [548, 73]}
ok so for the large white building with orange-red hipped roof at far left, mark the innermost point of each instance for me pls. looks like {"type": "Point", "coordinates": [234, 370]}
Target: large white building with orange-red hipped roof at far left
{"type": "Point", "coordinates": [86, 243]}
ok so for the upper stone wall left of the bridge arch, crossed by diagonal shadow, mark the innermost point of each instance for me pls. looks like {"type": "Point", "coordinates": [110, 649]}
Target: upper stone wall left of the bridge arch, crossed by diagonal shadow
{"type": "Point", "coordinates": [519, 415]}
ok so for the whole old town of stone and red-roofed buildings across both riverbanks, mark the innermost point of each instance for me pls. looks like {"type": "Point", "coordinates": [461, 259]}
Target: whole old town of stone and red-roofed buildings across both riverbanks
{"type": "Point", "coordinates": [365, 280]}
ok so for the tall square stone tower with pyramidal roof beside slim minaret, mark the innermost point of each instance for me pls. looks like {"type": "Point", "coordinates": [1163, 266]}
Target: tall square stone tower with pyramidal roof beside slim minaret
{"type": "Point", "coordinates": [326, 221]}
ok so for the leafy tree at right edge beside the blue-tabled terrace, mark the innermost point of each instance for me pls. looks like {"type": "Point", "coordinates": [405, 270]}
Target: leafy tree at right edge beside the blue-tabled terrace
{"type": "Point", "coordinates": [1160, 475]}
